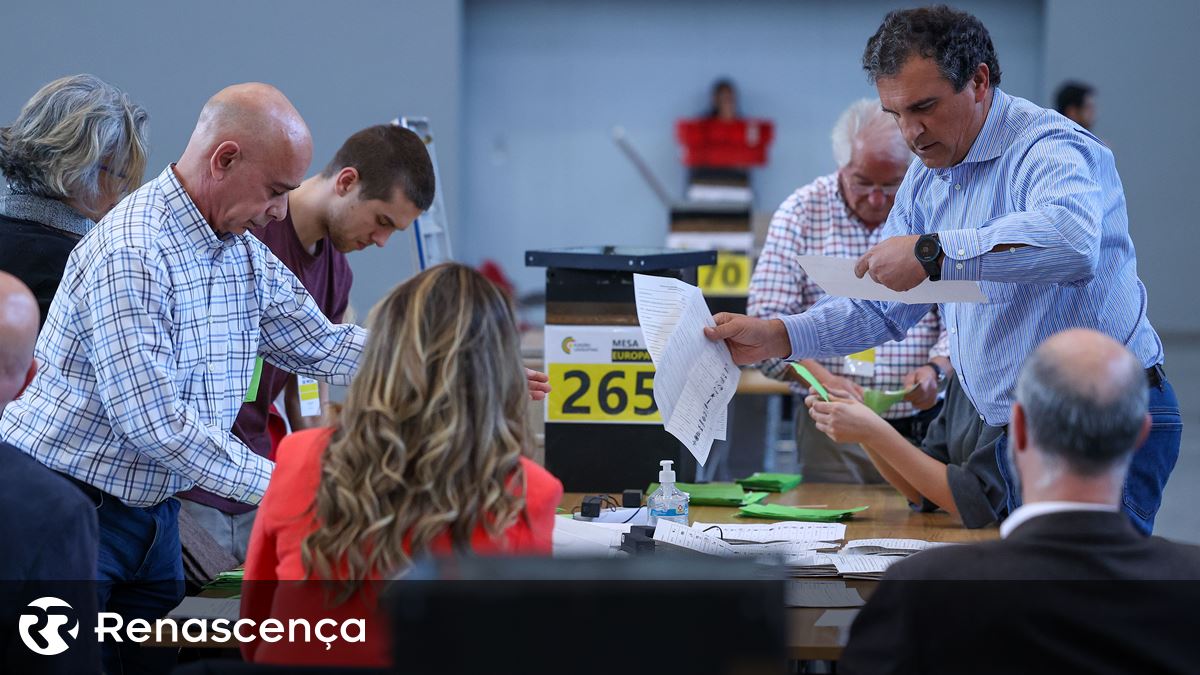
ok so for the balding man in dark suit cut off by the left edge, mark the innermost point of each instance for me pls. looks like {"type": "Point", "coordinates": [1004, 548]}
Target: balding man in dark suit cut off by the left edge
{"type": "Point", "coordinates": [47, 528]}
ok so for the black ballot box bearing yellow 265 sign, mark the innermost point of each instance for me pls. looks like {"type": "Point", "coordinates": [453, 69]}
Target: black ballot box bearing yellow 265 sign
{"type": "Point", "coordinates": [604, 433]}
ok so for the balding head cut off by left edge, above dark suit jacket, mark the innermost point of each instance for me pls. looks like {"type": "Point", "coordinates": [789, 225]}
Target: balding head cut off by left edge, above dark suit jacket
{"type": "Point", "coordinates": [19, 332]}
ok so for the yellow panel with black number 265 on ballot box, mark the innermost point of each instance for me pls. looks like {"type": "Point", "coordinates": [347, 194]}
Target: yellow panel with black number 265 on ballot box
{"type": "Point", "coordinates": [602, 392]}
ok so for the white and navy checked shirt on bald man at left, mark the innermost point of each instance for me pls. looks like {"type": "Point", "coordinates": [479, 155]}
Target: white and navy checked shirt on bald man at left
{"type": "Point", "coordinates": [149, 349]}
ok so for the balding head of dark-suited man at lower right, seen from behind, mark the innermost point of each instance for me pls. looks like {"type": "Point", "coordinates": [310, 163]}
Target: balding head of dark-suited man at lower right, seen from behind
{"type": "Point", "coordinates": [1082, 405]}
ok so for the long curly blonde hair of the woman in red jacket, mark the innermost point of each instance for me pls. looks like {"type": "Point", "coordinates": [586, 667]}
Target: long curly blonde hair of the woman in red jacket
{"type": "Point", "coordinates": [431, 434]}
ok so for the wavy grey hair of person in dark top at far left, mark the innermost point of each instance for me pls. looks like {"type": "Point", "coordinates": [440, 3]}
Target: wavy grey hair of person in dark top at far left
{"type": "Point", "coordinates": [70, 132]}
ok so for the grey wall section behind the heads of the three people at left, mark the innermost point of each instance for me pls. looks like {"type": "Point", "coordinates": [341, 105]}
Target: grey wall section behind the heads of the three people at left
{"type": "Point", "coordinates": [345, 65]}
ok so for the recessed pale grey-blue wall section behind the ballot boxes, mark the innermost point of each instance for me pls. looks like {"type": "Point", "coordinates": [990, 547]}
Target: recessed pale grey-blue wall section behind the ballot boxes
{"type": "Point", "coordinates": [547, 82]}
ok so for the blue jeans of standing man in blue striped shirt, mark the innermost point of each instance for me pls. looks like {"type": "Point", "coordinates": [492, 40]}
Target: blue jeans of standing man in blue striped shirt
{"type": "Point", "coordinates": [1151, 464]}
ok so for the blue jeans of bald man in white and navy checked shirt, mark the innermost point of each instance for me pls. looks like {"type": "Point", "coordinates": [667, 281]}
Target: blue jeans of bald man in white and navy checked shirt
{"type": "Point", "coordinates": [141, 577]}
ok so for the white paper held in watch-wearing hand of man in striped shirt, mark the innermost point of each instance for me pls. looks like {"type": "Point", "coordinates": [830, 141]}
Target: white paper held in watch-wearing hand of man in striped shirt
{"type": "Point", "coordinates": [836, 277]}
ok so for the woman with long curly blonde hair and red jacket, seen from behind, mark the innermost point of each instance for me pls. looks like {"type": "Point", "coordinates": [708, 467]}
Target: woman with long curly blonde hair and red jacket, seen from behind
{"type": "Point", "coordinates": [429, 458]}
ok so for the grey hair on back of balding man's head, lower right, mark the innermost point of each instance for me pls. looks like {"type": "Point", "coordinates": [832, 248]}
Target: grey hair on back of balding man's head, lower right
{"type": "Point", "coordinates": [1089, 429]}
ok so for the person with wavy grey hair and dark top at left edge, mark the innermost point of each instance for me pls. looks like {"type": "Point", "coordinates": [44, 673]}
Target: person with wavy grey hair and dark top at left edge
{"type": "Point", "coordinates": [79, 147]}
